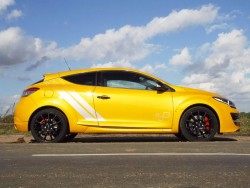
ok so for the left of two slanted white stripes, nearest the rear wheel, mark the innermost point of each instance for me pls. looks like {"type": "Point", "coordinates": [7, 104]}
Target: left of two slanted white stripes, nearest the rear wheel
{"type": "Point", "coordinates": [76, 106]}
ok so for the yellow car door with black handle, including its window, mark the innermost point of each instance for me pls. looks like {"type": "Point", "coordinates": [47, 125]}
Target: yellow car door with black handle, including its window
{"type": "Point", "coordinates": [132, 100]}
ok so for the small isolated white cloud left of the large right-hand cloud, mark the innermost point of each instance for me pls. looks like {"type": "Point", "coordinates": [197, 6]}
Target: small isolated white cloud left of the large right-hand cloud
{"type": "Point", "coordinates": [183, 58]}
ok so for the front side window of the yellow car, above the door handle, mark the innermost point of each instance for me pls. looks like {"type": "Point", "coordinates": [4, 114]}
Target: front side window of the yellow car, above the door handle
{"type": "Point", "coordinates": [129, 80]}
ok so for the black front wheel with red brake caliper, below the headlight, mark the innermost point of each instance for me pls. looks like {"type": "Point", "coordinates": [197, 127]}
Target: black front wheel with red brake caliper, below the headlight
{"type": "Point", "coordinates": [199, 124]}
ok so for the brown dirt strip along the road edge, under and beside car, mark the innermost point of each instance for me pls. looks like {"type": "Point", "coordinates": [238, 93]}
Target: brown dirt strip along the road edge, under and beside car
{"type": "Point", "coordinates": [10, 139]}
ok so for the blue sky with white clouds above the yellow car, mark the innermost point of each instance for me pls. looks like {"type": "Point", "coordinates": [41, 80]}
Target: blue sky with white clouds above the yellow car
{"type": "Point", "coordinates": [199, 44]}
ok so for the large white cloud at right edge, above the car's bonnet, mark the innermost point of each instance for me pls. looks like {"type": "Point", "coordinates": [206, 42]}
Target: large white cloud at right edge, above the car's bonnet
{"type": "Point", "coordinates": [226, 69]}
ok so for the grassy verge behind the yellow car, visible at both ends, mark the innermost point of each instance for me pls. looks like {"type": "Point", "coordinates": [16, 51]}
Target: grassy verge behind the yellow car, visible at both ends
{"type": "Point", "coordinates": [7, 127]}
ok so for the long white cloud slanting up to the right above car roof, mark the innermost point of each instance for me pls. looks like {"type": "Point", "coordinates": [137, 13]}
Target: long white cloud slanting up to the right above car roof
{"type": "Point", "coordinates": [130, 42]}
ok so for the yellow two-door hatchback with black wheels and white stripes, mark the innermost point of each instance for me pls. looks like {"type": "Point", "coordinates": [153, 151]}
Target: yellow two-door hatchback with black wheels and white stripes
{"type": "Point", "coordinates": [116, 100]}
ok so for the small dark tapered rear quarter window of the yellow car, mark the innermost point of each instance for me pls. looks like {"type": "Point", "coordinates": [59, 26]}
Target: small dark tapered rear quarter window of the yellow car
{"type": "Point", "coordinates": [82, 79]}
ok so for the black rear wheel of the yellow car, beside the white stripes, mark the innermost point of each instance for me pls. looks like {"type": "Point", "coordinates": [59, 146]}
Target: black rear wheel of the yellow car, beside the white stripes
{"type": "Point", "coordinates": [49, 125]}
